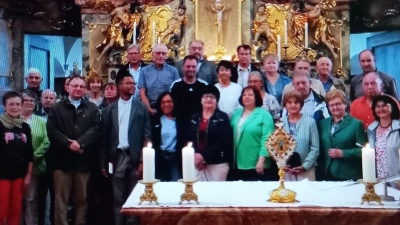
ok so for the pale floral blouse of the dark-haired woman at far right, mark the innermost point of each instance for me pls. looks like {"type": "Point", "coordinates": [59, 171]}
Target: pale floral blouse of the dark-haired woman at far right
{"type": "Point", "coordinates": [380, 154]}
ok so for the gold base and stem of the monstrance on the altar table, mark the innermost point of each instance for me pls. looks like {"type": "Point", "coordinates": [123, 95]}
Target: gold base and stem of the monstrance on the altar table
{"type": "Point", "coordinates": [281, 194]}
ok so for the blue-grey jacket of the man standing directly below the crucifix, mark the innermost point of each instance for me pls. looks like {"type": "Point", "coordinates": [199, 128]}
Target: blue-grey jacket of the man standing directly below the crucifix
{"type": "Point", "coordinates": [207, 71]}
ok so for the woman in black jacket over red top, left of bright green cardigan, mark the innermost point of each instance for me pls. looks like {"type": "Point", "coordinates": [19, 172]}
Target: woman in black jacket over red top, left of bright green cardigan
{"type": "Point", "coordinates": [211, 135]}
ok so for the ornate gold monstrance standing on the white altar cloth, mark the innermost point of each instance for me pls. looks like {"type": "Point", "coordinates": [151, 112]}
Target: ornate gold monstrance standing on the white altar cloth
{"type": "Point", "coordinates": [280, 145]}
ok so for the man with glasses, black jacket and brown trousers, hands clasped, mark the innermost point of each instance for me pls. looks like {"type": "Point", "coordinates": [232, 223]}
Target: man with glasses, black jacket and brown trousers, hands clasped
{"type": "Point", "coordinates": [73, 128]}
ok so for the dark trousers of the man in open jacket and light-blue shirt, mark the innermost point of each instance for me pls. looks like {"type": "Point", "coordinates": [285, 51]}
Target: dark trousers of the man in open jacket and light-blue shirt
{"type": "Point", "coordinates": [124, 180]}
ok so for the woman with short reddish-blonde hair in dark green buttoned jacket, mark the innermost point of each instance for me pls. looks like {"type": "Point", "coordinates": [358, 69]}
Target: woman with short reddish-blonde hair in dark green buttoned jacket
{"type": "Point", "coordinates": [340, 157]}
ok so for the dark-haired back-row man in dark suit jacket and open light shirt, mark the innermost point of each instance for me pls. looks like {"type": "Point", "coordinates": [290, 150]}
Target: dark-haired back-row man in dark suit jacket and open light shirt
{"type": "Point", "coordinates": [240, 73]}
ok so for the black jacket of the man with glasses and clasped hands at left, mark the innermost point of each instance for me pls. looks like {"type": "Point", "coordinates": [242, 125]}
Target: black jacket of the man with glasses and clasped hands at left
{"type": "Point", "coordinates": [65, 123]}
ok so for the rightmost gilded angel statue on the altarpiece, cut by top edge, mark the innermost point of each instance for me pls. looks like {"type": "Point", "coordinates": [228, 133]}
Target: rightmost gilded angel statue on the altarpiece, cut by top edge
{"type": "Point", "coordinates": [314, 14]}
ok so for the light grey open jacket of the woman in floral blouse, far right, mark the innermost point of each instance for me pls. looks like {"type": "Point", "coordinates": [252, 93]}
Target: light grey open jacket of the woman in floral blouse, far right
{"type": "Point", "coordinates": [392, 145]}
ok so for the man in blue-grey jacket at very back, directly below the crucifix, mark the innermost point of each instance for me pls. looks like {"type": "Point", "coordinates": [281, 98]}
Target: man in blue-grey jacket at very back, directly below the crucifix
{"type": "Point", "coordinates": [206, 70]}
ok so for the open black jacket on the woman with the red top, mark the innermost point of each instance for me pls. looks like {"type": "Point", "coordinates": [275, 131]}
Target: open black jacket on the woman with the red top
{"type": "Point", "coordinates": [219, 147]}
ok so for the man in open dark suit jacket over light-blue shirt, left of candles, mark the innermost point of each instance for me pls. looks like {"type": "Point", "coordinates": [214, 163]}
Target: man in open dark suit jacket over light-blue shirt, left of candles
{"type": "Point", "coordinates": [126, 128]}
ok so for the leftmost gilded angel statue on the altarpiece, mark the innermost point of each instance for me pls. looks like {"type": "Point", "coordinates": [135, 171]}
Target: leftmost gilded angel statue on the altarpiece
{"type": "Point", "coordinates": [120, 30]}
